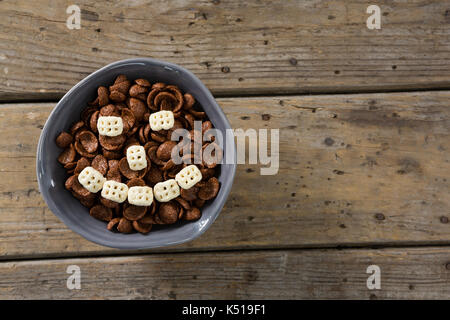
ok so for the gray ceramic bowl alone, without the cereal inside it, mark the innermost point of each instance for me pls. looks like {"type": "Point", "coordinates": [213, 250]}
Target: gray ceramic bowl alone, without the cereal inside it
{"type": "Point", "coordinates": [51, 175]}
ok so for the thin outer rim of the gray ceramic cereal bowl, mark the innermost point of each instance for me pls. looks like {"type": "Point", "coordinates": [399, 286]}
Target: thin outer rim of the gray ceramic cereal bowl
{"type": "Point", "coordinates": [112, 244]}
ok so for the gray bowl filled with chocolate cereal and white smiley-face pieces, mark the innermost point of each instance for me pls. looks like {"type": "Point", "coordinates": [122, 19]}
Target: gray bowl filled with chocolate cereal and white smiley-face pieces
{"type": "Point", "coordinates": [137, 155]}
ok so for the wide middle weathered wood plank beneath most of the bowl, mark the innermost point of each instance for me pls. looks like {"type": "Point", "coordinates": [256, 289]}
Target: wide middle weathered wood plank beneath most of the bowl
{"type": "Point", "coordinates": [361, 169]}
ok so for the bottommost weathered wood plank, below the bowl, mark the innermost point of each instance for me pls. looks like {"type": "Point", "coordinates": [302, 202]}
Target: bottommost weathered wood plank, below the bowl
{"type": "Point", "coordinates": [310, 274]}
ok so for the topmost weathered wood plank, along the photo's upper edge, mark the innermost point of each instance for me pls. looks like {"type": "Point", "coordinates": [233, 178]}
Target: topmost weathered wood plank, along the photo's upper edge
{"type": "Point", "coordinates": [234, 47]}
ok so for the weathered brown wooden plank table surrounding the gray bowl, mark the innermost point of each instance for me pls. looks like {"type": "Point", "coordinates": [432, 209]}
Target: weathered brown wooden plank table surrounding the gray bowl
{"type": "Point", "coordinates": [364, 119]}
